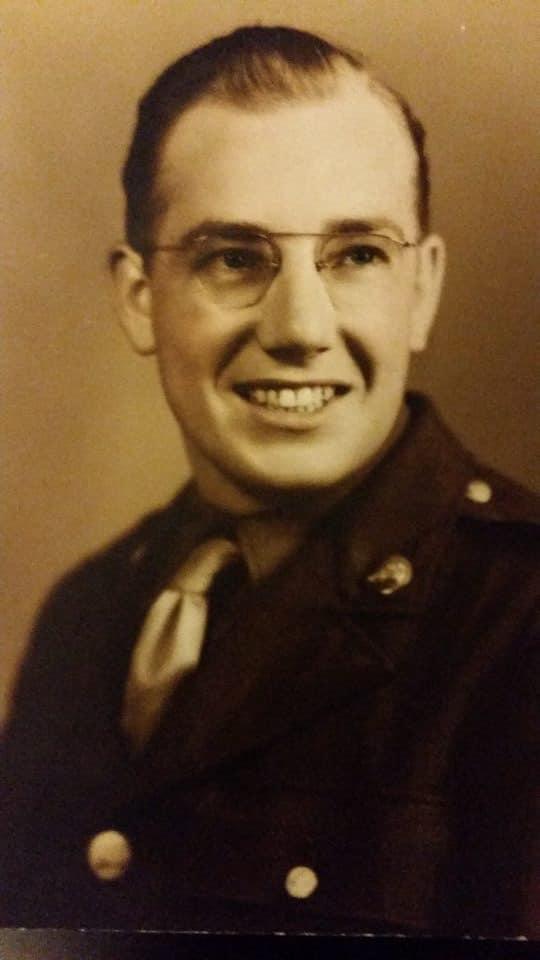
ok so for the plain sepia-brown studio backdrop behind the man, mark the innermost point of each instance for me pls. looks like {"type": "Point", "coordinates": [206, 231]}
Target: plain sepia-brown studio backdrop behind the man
{"type": "Point", "coordinates": [87, 441]}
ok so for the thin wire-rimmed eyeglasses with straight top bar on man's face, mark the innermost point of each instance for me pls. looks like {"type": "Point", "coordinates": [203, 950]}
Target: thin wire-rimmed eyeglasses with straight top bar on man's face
{"type": "Point", "coordinates": [237, 270]}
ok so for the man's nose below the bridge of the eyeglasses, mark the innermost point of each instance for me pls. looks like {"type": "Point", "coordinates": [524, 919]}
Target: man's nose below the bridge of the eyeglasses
{"type": "Point", "coordinates": [296, 318]}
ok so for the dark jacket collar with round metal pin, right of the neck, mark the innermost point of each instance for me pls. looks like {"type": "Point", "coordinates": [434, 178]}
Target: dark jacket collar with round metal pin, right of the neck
{"type": "Point", "coordinates": [404, 511]}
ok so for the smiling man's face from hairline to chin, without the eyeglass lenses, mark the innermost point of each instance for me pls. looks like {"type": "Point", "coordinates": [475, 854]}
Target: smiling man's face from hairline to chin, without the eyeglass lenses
{"type": "Point", "coordinates": [234, 375]}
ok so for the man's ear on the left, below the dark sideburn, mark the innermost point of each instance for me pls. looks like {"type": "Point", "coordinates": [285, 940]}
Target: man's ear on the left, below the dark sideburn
{"type": "Point", "coordinates": [133, 297]}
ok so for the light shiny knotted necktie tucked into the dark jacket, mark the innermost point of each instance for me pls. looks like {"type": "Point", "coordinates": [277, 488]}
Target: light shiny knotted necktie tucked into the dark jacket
{"type": "Point", "coordinates": [171, 639]}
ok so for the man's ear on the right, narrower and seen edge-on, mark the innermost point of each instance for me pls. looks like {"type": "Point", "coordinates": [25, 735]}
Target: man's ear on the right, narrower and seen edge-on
{"type": "Point", "coordinates": [430, 268]}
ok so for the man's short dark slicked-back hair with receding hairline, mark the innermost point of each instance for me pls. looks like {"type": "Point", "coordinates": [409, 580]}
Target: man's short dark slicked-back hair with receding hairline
{"type": "Point", "coordinates": [250, 66]}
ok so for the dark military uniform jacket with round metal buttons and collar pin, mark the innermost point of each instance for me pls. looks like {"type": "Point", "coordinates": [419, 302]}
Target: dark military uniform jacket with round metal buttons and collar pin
{"type": "Point", "coordinates": [369, 714]}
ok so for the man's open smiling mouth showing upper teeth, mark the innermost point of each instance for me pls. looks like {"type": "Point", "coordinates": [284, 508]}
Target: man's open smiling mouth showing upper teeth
{"type": "Point", "coordinates": [290, 397]}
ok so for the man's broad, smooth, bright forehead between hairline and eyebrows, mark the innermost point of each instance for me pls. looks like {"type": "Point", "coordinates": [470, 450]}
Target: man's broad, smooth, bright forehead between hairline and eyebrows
{"type": "Point", "coordinates": [293, 166]}
